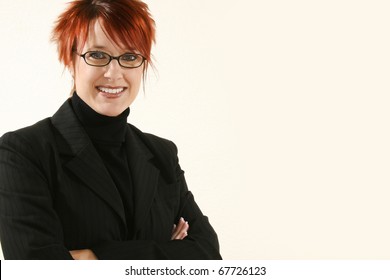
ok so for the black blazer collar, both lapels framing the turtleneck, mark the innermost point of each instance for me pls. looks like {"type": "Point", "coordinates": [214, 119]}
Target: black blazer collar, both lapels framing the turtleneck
{"type": "Point", "coordinates": [86, 164]}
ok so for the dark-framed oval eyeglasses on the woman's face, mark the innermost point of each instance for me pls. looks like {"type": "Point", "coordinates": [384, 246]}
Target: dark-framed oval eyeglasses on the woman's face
{"type": "Point", "coordinates": [100, 59]}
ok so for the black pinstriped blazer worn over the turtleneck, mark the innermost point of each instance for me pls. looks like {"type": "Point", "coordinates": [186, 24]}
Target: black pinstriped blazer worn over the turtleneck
{"type": "Point", "coordinates": [56, 195]}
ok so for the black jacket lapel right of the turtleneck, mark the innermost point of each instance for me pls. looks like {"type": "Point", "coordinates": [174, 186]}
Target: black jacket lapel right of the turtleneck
{"type": "Point", "coordinates": [144, 175]}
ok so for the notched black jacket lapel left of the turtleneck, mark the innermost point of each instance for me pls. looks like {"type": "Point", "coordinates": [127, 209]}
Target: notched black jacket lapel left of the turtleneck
{"type": "Point", "coordinates": [84, 161]}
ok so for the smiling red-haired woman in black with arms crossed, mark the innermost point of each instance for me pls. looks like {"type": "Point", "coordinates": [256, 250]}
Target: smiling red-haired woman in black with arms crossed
{"type": "Point", "coordinates": [84, 184]}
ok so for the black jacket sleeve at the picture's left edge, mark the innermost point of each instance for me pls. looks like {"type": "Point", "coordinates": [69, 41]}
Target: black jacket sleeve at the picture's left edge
{"type": "Point", "coordinates": [29, 226]}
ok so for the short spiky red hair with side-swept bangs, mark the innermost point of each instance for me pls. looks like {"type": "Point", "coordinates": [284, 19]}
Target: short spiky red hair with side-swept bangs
{"type": "Point", "coordinates": [126, 22]}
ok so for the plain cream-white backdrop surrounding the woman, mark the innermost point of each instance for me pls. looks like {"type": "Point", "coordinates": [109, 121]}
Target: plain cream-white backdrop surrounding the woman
{"type": "Point", "coordinates": [280, 110]}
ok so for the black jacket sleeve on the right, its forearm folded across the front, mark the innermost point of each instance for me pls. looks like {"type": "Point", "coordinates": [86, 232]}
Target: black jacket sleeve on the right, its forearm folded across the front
{"type": "Point", "coordinates": [201, 242]}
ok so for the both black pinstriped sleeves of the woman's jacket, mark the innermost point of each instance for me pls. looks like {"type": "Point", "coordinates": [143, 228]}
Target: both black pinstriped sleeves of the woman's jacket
{"type": "Point", "coordinates": [31, 229]}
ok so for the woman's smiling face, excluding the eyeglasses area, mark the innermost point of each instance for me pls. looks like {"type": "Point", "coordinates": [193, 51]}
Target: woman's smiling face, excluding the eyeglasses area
{"type": "Point", "coordinates": [110, 89]}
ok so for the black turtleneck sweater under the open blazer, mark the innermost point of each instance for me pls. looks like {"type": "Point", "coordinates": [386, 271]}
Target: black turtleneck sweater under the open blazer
{"type": "Point", "coordinates": [108, 136]}
